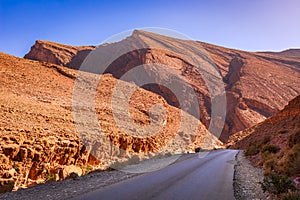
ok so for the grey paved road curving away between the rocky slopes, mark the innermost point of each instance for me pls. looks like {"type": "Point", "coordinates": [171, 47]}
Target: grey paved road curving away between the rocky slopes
{"type": "Point", "coordinates": [207, 178]}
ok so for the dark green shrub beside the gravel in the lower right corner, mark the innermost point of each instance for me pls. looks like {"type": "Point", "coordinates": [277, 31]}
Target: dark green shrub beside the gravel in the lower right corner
{"type": "Point", "coordinates": [276, 184]}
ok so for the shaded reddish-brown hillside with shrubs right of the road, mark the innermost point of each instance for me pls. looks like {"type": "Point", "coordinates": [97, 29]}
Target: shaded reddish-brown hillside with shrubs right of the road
{"type": "Point", "coordinates": [275, 142]}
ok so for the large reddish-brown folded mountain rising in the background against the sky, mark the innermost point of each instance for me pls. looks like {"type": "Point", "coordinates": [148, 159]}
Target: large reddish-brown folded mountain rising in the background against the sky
{"type": "Point", "coordinates": [257, 84]}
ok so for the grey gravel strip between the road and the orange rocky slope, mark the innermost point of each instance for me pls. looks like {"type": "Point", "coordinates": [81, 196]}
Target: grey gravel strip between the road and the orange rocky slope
{"type": "Point", "coordinates": [70, 188]}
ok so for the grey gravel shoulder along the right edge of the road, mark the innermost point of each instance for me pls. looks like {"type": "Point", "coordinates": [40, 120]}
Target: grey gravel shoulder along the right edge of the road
{"type": "Point", "coordinates": [246, 180]}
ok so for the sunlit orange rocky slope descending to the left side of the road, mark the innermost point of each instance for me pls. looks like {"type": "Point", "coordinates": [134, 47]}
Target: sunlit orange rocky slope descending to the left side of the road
{"type": "Point", "coordinates": [39, 138]}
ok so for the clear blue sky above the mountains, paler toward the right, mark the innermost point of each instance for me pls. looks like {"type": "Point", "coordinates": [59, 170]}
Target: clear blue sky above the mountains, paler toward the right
{"type": "Point", "coordinates": [252, 25]}
